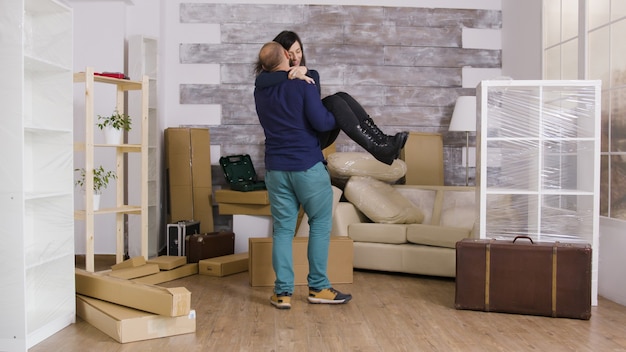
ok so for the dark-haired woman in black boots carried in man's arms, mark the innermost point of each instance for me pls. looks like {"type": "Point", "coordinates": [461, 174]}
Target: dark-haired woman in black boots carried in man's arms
{"type": "Point", "coordinates": [349, 114]}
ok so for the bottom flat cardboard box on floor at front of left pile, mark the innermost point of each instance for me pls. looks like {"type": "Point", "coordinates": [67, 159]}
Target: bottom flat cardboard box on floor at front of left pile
{"type": "Point", "coordinates": [128, 325]}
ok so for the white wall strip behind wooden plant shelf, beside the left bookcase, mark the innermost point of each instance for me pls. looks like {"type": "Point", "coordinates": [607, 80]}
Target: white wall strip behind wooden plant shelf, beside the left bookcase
{"type": "Point", "coordinates": [98, 43]}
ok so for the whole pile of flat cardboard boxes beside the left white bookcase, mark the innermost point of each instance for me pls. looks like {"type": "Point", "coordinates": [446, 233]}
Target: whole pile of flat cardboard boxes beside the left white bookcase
{"type": "Point", "coordinates": [125, 304]}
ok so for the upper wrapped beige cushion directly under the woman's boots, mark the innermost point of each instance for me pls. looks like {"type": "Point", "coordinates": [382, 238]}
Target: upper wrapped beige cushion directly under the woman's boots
{"type": "Point", "coordinates": [343, 165]}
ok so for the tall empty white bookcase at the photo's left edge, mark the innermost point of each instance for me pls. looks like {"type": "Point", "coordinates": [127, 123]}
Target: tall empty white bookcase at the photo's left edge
{"type": "Point", "coordinates": [36, 178]}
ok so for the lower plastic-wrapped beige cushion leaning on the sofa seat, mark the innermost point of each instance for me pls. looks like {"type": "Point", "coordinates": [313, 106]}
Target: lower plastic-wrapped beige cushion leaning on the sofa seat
{"type": "Point", "coordinates": [380, 202]}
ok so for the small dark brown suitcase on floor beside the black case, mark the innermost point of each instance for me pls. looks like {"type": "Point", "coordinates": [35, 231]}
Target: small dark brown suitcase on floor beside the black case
{"type": "Point", "coordinates": [209, 245]}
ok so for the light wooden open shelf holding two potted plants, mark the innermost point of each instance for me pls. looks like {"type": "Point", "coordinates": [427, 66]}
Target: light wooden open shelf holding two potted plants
{"type": "Point", "coordinates": [140, 148]}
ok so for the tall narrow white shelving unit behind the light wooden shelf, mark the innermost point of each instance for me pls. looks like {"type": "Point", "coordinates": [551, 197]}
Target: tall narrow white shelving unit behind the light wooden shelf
{"type": "Point", "coordinates": [143, 61]}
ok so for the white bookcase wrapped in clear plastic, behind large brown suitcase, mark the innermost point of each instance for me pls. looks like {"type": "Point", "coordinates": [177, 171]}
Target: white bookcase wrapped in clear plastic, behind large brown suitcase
{"type": "Point", "coordinates": [538, 174]}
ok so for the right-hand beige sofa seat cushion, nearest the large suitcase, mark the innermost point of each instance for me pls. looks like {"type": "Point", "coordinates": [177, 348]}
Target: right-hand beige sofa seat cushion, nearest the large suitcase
{"type": "Point", "coordinates": [439, 236]}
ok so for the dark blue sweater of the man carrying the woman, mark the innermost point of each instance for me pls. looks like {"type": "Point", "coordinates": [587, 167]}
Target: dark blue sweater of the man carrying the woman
{"type": "Point", "coordinates": [291, 113]}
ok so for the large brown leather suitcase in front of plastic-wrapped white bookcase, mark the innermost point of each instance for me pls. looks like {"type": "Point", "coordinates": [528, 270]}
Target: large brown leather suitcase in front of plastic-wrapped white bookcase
{"type": "Point", "coordinates": [524, 277]}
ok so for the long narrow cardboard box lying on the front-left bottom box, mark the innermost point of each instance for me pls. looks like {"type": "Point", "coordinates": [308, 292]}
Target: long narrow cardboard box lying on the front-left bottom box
{"type": "Point", "coordinates": [172, 302]}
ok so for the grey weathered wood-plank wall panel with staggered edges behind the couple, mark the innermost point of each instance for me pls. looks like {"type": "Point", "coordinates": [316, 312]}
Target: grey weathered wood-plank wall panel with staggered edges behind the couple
{"type": "Point", "coordinates": [403, 64]}
